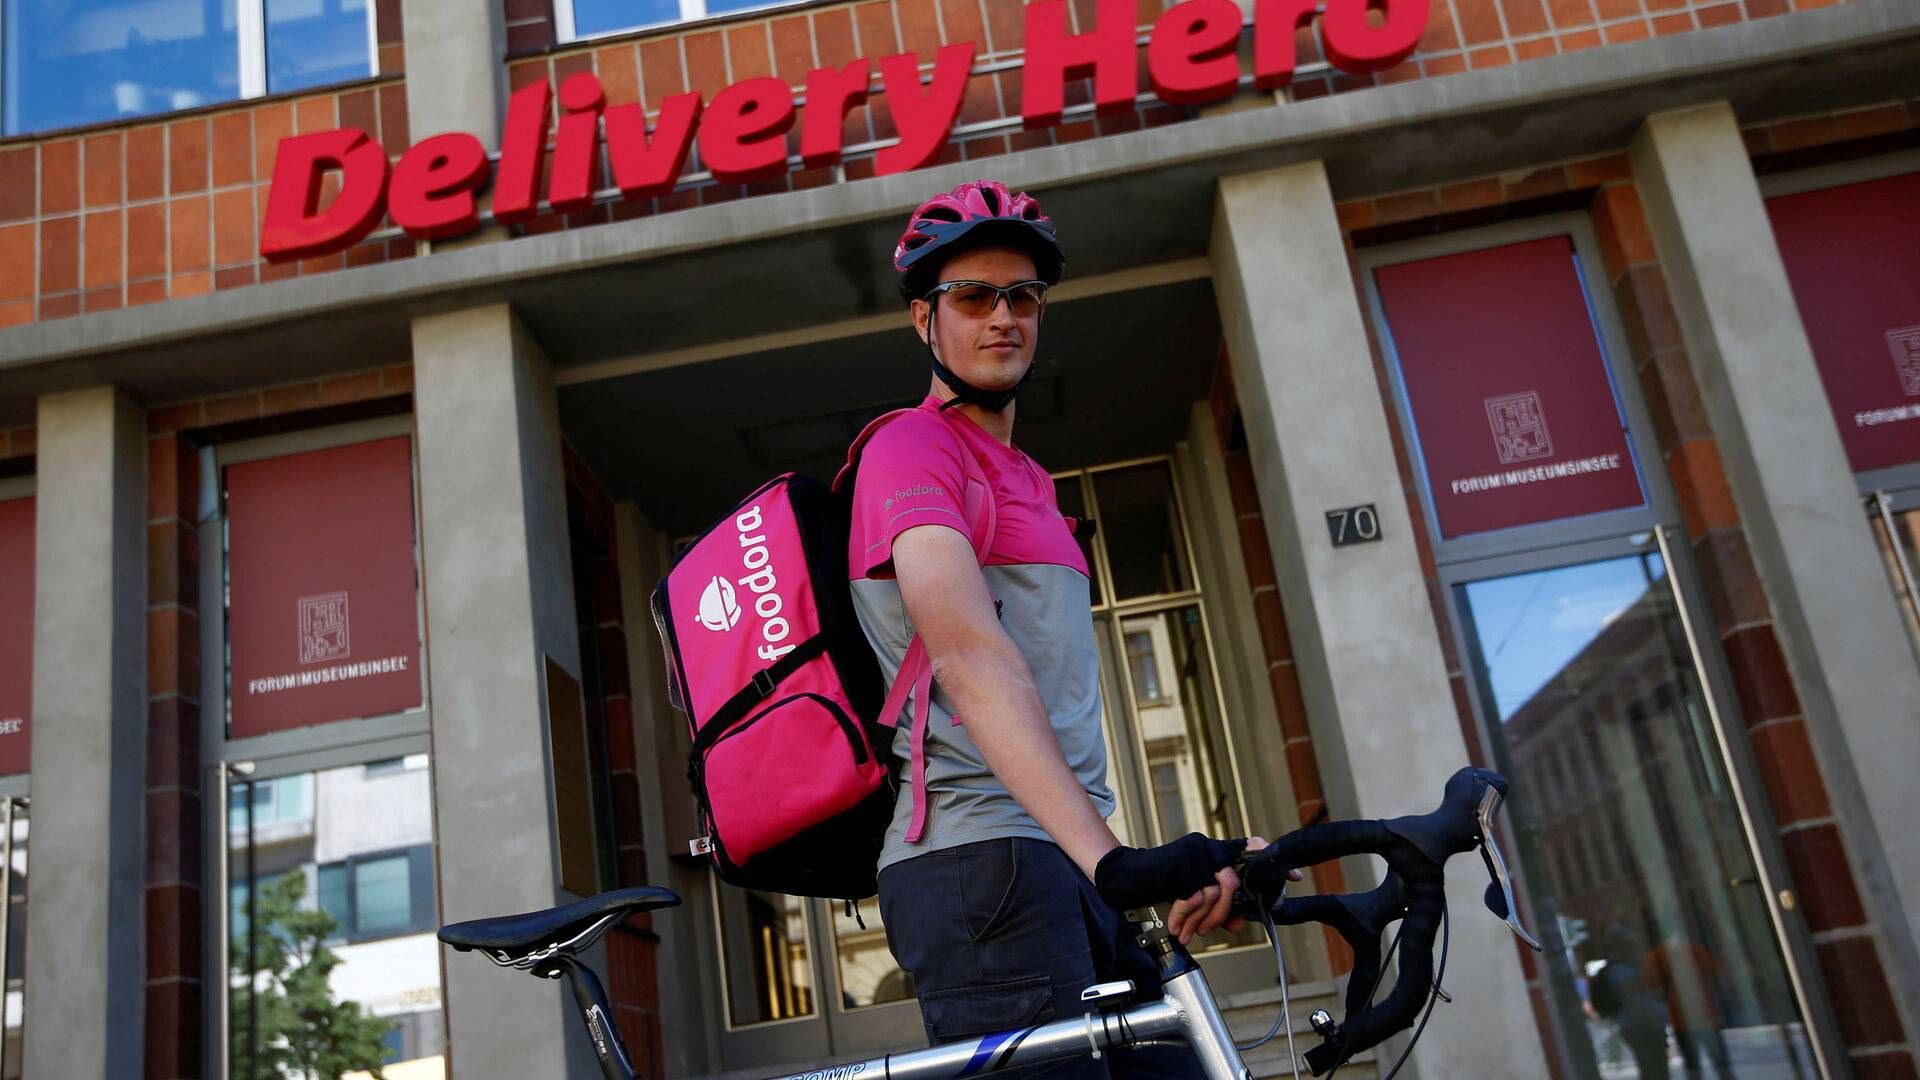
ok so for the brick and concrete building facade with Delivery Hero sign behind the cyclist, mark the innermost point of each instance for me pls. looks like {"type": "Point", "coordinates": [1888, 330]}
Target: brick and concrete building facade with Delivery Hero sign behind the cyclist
{"type": "Point", "coordinates": [1525, 383]}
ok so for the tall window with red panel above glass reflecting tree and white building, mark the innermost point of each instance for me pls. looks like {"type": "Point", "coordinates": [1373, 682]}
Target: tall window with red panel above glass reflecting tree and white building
{"type": "Point", "coordinates": [327, 937]}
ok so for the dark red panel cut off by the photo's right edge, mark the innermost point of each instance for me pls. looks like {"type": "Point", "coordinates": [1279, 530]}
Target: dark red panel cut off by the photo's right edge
{"type": "Point", "coordinates": [1858, 283]}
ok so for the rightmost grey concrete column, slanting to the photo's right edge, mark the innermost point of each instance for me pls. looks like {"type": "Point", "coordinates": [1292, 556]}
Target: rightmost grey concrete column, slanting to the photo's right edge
{"type": "Point", "coordinates": [1798, 503]}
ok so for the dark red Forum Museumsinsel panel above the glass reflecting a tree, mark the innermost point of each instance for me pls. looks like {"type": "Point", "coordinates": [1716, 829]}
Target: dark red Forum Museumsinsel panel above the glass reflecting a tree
{"type": "Point", "coordinates": [324, 614]}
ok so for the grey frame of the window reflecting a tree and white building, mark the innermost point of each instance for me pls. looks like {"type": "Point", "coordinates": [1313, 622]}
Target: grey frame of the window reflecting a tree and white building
{"type": "Point", "coordinates": [228, 762]}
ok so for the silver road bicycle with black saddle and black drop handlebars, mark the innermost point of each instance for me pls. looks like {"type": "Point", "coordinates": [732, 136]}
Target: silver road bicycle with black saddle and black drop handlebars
{"type": "Point", "coordinates": [1414, 893]}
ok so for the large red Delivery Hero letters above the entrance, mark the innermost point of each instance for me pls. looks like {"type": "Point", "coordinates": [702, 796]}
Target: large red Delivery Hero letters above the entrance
{"type": "Point", "coordinates": [433, 191]}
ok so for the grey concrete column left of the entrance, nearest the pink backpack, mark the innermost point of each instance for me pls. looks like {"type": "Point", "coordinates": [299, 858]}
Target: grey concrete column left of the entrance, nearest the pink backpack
{"type": "Point", "coordinates": [498, 602]}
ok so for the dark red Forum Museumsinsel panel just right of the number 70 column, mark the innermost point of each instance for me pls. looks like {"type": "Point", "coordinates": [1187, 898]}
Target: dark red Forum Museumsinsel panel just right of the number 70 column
{"type": "Point", "coordinates": [1510, 393]}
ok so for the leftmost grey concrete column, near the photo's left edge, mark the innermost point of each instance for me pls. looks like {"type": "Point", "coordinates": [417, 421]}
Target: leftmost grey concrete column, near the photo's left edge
{"type": "Point", "coordinates": [85, 941]}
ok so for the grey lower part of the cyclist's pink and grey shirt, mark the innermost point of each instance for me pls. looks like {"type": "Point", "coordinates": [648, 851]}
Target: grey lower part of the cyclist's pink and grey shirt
{"type": "Point", "coordinates": [1044, 610]}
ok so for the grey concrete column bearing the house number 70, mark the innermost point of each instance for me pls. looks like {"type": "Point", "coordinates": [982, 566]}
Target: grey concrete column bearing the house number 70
{"type": "Point", "coordinates": [1360, 620]}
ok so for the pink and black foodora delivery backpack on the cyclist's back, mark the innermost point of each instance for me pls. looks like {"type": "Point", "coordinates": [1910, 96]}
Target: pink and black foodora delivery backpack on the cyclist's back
{"type": "Point", "coordinates": [792, 758]}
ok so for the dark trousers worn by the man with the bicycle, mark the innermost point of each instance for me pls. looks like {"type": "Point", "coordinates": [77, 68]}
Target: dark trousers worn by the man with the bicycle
{"type": "Point", "coordinates": [1005, 935]}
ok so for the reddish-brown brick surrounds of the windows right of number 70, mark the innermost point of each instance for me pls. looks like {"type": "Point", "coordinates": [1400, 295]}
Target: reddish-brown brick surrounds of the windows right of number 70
{"type": "Point", "coordinates": [1769, 706]}
